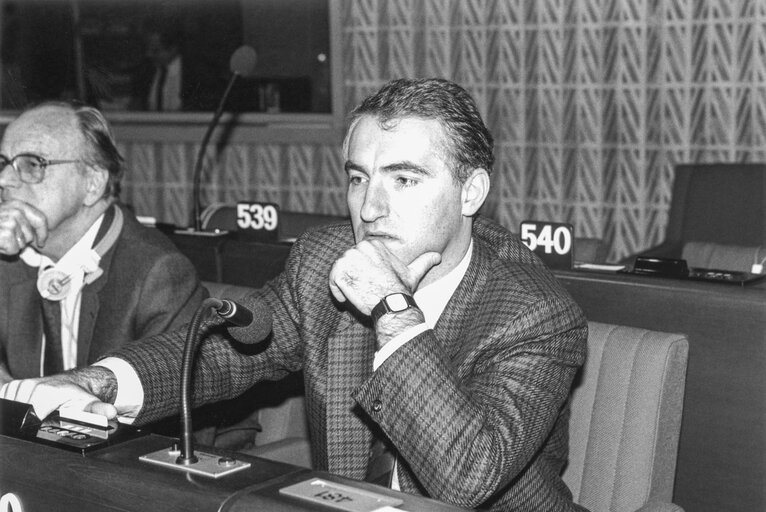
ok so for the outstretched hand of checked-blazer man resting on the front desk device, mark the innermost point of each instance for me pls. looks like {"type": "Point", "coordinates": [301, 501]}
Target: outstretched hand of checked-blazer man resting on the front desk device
{"type": "Point", "coordinates": [90, 389]}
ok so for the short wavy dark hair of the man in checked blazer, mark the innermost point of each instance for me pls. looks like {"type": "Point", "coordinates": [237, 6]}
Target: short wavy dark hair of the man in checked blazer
{"type": "Point", "coordinates": [469, 142]}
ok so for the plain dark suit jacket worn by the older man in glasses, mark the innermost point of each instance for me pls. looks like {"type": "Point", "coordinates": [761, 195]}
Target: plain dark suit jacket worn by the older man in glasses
{"type": "Point", "coordinates": [147, 287]}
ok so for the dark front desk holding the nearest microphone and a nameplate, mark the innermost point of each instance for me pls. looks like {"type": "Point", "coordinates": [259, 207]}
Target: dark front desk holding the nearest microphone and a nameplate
{"type": "Point", "coordinates": [113, 479]}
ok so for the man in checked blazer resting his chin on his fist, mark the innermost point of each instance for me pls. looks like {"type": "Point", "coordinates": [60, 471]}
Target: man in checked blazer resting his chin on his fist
{"type": "Point", "coordinates": [421, 324]}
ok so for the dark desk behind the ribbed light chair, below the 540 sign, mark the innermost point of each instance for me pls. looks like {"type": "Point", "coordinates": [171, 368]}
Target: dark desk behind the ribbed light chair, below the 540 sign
{"type": "Point", "coordinates": [722, 452]}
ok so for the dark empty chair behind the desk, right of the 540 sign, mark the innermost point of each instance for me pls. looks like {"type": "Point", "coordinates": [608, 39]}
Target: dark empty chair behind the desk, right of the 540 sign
{"type": "Point", "coordinates": [722, 203]}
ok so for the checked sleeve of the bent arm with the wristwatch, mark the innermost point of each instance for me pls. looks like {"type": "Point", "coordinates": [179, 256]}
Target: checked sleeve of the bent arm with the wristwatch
{"type": "Point", "coordinates": [466, 431]}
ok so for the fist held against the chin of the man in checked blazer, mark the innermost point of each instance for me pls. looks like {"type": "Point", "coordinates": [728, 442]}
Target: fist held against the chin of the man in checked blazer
{"type": "Point", "coordinates": [369, 271]}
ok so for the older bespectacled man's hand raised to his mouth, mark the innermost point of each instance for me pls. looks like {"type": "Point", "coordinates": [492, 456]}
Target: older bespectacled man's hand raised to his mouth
{"type": "Point", "coordinates": [21, 224]}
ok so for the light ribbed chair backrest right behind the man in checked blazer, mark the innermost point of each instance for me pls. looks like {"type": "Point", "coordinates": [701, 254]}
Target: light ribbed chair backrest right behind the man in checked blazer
{"type": "Point", "coordinates": [626, 418]}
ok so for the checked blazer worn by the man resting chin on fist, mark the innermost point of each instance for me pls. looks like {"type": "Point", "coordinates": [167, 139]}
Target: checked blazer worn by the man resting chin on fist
{"type": "Point", "coordinates": [477, 407]}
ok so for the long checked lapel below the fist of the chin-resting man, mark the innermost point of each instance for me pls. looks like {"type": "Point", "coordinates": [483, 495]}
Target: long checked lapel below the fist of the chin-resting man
{"type": "Point", "coordinates": [351, 350]}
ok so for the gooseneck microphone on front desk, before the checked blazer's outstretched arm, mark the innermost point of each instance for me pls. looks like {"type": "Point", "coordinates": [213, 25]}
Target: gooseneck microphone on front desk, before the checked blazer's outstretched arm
{"type": "Point", "coordinates": [252, 326]}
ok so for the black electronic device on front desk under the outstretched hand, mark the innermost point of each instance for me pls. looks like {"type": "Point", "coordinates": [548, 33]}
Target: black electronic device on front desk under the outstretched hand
{"type": "Point", "coordinates": [63, 429]}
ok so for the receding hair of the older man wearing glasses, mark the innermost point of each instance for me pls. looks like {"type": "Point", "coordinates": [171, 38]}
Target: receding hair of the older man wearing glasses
{"type": "Point", "coordinates": [101, 148]}
